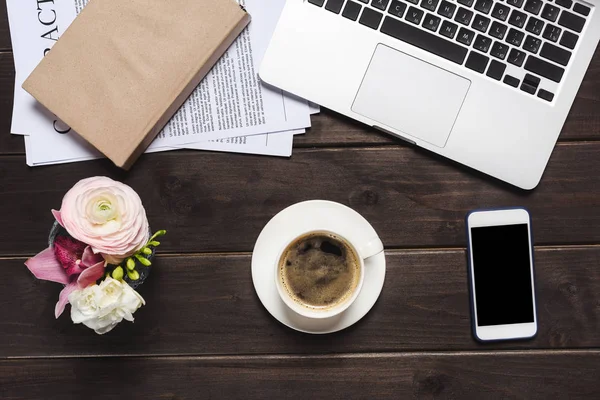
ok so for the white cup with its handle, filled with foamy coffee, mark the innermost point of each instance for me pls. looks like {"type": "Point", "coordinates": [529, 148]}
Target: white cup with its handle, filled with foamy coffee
{"type": "Point", "coordinates": [320, 273]}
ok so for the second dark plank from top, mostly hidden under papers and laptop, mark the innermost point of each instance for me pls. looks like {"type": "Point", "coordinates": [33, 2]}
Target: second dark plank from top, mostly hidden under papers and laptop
{"type": "Point", "coordinates": [331, 129]}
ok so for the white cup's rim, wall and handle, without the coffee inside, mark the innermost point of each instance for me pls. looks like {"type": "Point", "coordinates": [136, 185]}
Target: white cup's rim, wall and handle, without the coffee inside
{"type": "Point", "coordinates": [364, 250]}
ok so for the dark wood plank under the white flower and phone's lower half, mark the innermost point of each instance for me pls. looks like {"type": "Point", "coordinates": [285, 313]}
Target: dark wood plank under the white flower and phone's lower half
{"type": "Point", "coordinates": [207, 305]}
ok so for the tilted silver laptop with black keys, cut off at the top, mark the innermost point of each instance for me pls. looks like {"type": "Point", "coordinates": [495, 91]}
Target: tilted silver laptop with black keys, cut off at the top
{"type": "Point", "coordinates": [485, 83]}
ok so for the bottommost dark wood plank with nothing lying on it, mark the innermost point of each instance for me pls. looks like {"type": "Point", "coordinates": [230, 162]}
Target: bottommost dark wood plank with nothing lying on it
{"type": "Point", "coordinates": [519, 375]}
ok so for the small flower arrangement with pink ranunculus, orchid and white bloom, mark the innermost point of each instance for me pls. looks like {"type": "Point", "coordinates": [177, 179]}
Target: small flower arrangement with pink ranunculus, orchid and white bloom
{"type": "Point", "coordinates": [101, 250]}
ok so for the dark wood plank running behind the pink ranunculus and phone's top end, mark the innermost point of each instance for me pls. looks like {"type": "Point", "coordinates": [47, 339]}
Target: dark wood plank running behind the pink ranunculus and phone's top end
{"type": "Point", "coordinates": [411, 198]}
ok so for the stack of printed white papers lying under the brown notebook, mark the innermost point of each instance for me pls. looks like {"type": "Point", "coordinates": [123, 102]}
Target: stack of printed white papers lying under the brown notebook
{"type": "Point", "coordinates": [230, 111]}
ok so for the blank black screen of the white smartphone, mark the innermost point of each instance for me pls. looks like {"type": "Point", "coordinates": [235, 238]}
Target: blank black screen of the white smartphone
{"type": "Point", "coordinates": [502, 272]}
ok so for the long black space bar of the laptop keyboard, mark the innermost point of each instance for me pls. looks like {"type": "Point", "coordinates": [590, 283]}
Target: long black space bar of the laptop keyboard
{"type": "Point", "coordinates": [424, 40]}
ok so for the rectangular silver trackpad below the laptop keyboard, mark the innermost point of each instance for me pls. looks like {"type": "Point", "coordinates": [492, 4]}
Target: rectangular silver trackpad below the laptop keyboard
{"type": "Point", "coordinates": [409, 95]}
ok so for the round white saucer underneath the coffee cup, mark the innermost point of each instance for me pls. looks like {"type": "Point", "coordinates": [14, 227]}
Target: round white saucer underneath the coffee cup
{"type": "Point", "coordinates": [291, 222]}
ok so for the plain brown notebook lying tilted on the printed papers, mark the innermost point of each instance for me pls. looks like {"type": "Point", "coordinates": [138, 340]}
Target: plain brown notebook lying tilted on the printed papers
{"type": "Point", "coordinates": [123, 68]}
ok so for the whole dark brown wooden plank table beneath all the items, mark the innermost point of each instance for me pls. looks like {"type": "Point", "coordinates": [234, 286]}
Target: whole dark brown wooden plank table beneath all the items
{"type": "Point", "coordinates": [205, 334]}
